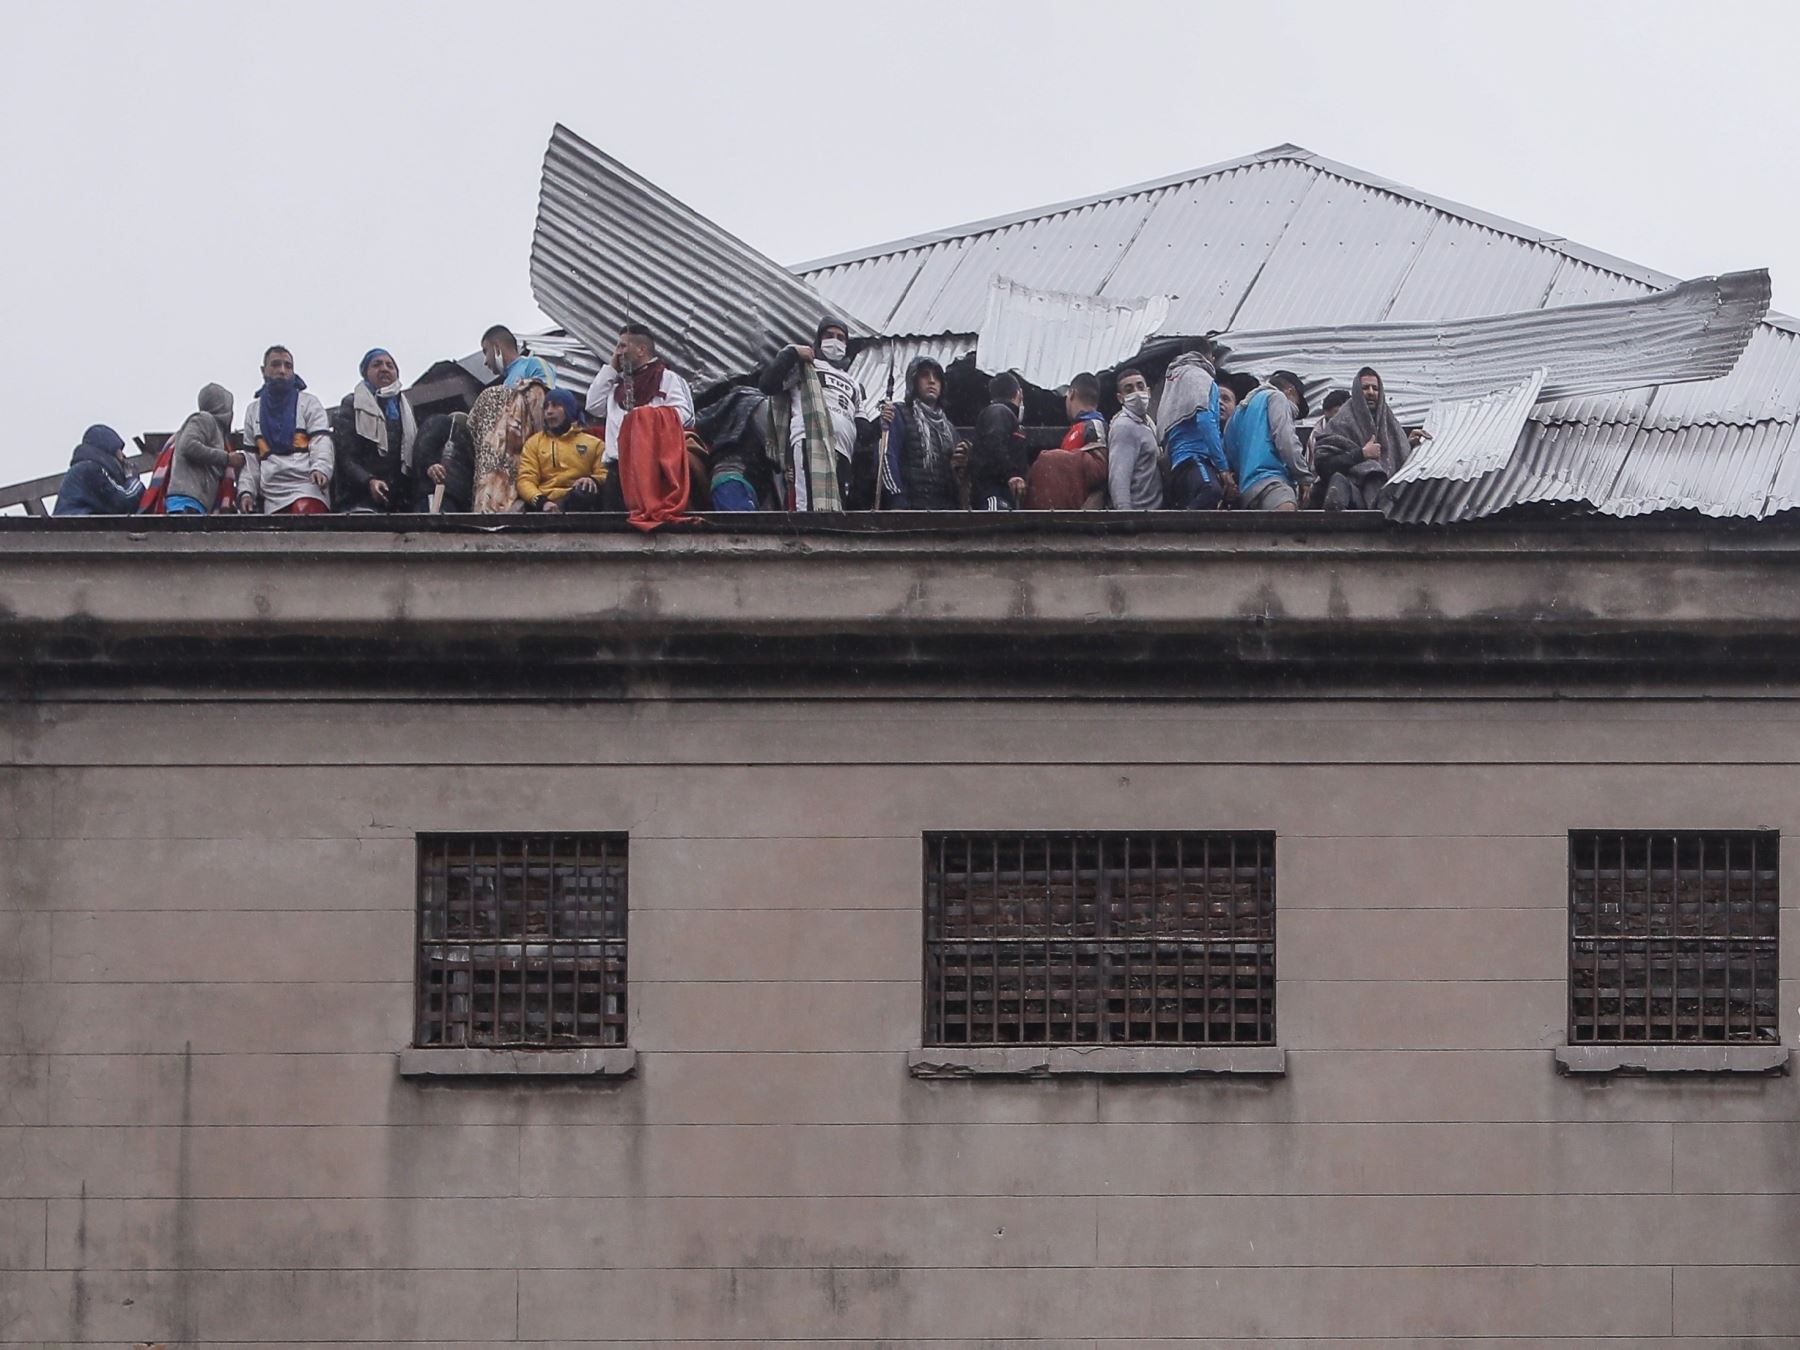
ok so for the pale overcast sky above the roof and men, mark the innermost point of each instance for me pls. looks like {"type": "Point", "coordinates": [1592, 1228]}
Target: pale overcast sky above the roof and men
{"type": "Point", "coordinates": [188, 183]}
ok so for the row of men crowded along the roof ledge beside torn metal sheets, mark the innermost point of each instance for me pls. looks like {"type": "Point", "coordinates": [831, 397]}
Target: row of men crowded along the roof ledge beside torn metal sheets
{"type": "Point", "coordinates": [795, 438]}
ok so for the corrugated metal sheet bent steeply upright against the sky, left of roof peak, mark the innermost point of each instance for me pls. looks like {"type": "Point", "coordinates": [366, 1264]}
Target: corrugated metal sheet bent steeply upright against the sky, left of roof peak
{"type": "Point", "coordinates": [613, 247]}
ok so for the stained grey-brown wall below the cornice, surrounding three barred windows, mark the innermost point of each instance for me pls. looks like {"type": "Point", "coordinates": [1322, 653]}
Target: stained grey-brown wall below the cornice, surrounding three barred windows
{"type": "Point", "coordinates": [206, 962]}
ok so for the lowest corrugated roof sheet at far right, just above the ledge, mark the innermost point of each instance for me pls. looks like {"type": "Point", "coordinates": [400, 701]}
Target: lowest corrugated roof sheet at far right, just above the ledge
{"type": "Point", "coordinates": [1716, 471]}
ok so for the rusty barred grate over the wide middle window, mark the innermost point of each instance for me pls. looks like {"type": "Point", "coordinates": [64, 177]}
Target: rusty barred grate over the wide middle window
{"type": "Point", "coordinates": [1101, 939]}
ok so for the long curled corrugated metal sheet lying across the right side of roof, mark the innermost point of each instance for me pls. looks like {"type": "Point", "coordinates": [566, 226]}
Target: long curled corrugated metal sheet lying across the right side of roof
{"type": "Point", "coordinates": [1693, 332]}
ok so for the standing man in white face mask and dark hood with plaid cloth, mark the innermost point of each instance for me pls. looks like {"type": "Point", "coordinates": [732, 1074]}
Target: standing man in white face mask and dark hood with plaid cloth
{"type": "Point", "coordinates": [829, 359]}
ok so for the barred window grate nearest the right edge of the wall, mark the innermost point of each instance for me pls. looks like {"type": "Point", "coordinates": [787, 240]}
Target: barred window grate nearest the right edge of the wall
{"type": "Point", "coordinates": [1673, 937]}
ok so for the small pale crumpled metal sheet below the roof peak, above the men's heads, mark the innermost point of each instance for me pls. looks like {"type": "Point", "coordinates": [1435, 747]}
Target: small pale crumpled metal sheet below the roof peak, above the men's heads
{"type": "Point", "coordinates": [1048, 336]}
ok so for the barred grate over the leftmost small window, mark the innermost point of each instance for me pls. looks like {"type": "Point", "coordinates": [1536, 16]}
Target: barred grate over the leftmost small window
{"type": "Point", "coordinates": [521, 940]}
